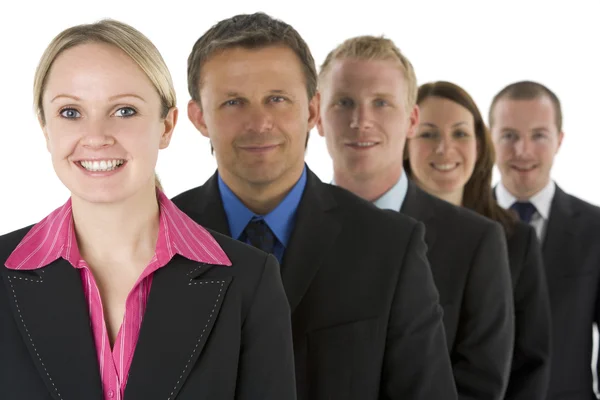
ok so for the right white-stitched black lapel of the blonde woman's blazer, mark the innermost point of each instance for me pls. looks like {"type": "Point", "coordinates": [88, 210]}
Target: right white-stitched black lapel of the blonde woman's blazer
{"type": "Point", "coordinates": [180, 314]}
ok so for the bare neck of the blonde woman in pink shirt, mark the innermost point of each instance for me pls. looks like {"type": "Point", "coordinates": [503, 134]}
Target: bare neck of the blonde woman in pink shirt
{"type": "Point", "coordinates": [114, 233]}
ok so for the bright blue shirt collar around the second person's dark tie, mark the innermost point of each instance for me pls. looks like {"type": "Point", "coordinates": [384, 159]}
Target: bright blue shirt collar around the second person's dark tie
{"type": "Point", "coordinates": [279, 220]}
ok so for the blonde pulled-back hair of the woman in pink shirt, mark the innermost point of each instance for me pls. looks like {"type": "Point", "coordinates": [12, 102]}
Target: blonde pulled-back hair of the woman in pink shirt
{"type": "Point", "coordinates": [126, 38]}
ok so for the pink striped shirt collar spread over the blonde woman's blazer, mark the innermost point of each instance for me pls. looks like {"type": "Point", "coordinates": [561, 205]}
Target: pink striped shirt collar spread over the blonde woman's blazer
{"type": "Point", "coordinates": [54, 237]}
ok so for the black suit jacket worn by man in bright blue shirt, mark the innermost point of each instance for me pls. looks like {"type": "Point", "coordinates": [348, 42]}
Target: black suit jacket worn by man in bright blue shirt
{"type": "Point", "coordinates": [366, 319]}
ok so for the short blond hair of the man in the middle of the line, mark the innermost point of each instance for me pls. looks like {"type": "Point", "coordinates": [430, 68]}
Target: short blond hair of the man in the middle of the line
{"type": "Point", "coordinates": [374, 48]}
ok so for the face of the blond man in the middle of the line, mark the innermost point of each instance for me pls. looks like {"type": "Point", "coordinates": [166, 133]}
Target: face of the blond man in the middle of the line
{"type": "Point", "coordinates": [364, 116]}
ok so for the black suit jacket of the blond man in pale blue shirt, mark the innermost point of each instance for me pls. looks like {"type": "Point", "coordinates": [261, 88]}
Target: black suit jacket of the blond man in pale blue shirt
{"type": "Point", "coordinates": [469, 261]}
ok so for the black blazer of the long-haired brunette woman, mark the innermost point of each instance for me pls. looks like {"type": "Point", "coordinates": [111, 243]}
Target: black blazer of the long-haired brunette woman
{"type": "Point", "coordinates": [530, 373]}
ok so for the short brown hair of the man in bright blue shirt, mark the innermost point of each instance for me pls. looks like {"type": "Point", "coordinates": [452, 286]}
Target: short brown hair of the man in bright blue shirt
{"type": "Point", "coordinates": [250, 31]}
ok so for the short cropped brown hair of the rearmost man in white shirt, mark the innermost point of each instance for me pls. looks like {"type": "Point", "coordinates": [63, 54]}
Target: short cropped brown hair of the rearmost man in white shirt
{"type": "Point", "coordinates": [527, 90]}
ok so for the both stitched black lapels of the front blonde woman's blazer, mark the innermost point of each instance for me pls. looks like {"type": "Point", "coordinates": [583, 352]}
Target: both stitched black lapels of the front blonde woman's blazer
{"type": "Point", "coordinates": [50, 310]}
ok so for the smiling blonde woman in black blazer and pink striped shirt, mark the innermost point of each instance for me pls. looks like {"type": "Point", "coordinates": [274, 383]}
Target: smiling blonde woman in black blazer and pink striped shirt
{"type": "Point", "coordinates": [118, 294]}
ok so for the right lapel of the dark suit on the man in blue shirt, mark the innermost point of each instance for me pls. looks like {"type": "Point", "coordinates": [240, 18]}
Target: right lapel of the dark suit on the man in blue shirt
{"type": "Point", "coordinates": [315, 231]}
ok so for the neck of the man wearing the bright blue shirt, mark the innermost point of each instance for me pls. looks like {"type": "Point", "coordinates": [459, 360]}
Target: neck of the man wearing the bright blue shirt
{"type": "Point", "coordinates": [262, 198]}
